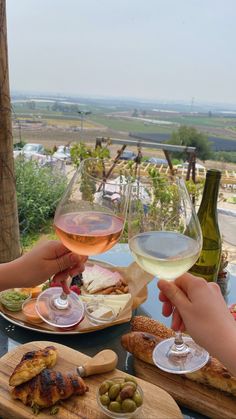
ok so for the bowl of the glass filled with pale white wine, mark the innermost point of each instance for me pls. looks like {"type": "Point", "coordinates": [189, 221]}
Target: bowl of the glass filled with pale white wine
{"type": "Point", "coordinates": [164, 232]}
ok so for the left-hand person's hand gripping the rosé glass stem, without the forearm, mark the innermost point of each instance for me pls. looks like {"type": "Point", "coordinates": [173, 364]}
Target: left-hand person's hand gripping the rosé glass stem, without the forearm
{"type": "Point", "coordinates": [49, 259]}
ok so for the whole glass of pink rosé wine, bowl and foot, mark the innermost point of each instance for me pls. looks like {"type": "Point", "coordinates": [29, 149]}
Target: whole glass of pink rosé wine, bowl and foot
{"type": "Point", "coordinates": [88, 220]}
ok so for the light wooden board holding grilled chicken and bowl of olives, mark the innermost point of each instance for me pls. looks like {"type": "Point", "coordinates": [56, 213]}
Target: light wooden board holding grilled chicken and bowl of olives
{"type": "Point", "coordinates": [157, 402]}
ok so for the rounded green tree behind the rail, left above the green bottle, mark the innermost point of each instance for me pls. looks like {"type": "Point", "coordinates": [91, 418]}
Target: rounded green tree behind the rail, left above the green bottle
{"type": "Point", "coordinates": [190, 137]}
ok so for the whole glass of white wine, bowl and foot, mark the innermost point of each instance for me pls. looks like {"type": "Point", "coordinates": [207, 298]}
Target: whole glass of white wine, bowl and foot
{"type": "Point", "coordinates": [165, 239]}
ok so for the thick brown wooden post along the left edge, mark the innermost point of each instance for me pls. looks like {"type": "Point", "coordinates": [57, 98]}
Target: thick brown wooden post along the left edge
{"type": "Point", "coordinates": [9, 226]}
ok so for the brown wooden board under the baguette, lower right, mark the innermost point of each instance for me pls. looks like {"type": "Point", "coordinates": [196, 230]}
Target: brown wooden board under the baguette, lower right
{"type": "Point", "coordinates": [207, 401]}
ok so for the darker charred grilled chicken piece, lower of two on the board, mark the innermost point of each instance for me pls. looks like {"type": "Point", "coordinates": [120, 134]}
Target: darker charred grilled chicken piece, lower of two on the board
{"type": "Point", "coordinates": [48, 387]}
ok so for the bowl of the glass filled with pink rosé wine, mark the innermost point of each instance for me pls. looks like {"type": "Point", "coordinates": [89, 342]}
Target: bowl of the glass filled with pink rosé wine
{"type": "Point", "coordinates": [90, 217]}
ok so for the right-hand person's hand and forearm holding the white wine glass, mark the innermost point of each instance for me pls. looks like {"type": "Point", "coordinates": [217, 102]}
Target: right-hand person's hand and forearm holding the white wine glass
{"type": "Point", "coordinates": [199, 308]}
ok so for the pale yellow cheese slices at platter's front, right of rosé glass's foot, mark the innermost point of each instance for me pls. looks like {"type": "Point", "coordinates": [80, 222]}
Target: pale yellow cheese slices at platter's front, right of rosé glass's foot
{"type": "Point", "coordinates": [116, 302]}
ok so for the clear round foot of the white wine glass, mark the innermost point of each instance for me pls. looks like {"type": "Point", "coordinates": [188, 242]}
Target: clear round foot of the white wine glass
{"type": "Point", "coordinates": [192, 360]}
